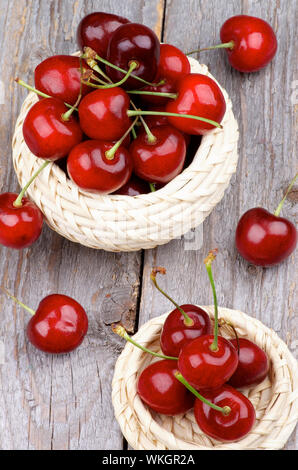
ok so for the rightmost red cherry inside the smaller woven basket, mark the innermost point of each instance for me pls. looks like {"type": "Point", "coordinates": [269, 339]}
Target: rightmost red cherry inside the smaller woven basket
{"type": "Point", "coordinates": [253, 364]}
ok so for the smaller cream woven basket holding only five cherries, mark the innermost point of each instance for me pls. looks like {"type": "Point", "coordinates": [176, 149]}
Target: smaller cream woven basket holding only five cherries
{"type": "Point", "coordinates": [275, 399]}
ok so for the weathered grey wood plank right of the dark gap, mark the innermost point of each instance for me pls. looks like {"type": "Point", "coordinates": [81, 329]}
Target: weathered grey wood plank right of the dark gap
{"type": "Point", "coordinates": [267, 163]}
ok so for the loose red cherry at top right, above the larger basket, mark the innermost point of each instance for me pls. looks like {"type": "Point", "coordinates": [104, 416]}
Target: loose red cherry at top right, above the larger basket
{"type": "Point", "coordinates": [254, 40]}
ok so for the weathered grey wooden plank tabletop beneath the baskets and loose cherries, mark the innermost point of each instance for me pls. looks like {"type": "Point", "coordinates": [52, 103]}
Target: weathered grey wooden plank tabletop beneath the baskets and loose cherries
{"type": "Point", "coordinates": [49, 402]}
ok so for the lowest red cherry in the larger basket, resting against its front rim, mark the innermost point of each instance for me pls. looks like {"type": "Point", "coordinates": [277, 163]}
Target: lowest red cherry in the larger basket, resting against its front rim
{"type": "Point", "coordinates": [91, 170]}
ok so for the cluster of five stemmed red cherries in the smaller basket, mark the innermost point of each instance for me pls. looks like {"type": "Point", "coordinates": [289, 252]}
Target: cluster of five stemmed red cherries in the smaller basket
{"type": "Point", "coordinates": [201, 369]}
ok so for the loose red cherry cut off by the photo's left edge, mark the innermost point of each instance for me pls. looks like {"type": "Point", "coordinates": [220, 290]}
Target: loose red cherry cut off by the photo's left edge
{"type": "Point", "coordinates": [19, 226]}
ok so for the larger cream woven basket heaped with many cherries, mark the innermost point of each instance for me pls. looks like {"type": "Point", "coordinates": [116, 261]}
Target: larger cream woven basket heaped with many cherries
{"type": "Point", "coordinates": [123, 223]}
